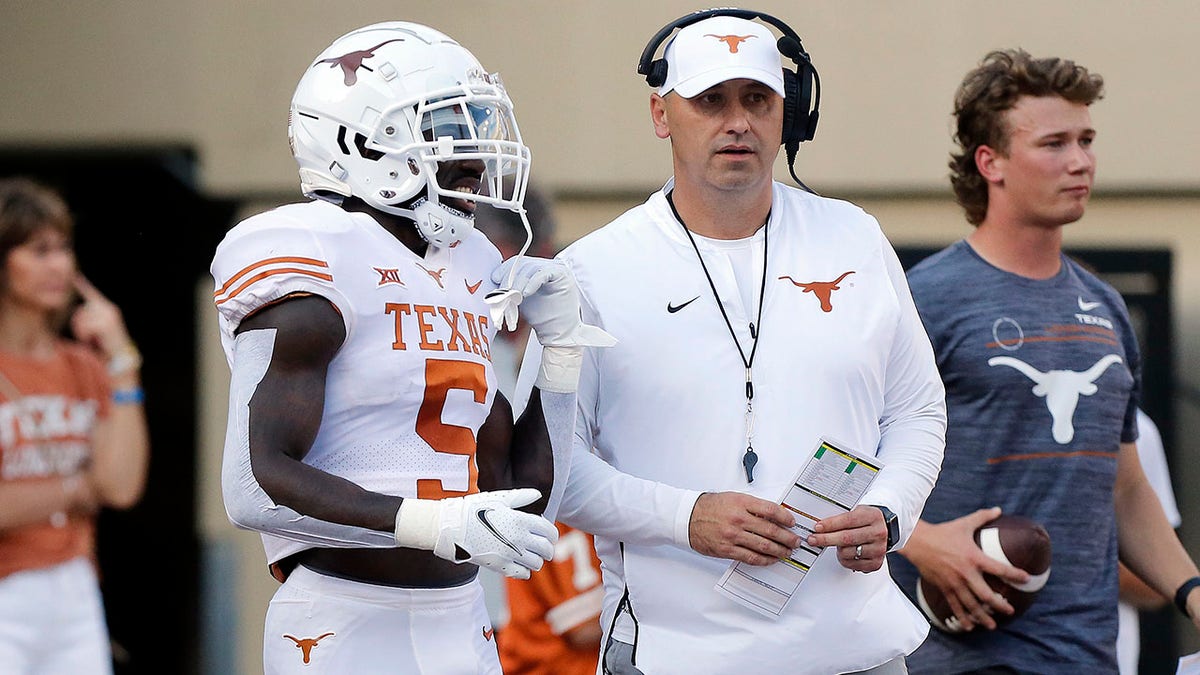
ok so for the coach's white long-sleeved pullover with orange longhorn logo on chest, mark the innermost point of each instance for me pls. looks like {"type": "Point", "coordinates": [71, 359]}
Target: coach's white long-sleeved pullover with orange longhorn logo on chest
{"type": "Point", "coordinates": [842, 355]}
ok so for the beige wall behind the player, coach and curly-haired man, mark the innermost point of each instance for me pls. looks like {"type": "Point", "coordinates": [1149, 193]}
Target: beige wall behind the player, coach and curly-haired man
{"type": "Point", "coordinates": [219, 74]}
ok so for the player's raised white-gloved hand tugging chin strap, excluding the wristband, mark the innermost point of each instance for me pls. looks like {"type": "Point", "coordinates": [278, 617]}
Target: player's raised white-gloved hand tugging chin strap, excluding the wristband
{"type": "Point", "coordinates": [547, 292]}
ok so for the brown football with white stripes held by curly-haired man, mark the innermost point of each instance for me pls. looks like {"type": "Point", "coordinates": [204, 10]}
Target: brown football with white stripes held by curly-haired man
{"type": "Point", "coordinates": [1015, 540]}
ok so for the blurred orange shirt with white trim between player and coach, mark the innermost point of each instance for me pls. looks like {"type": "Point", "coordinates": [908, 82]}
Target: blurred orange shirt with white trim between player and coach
{"type": "Point", "coordinates": [563, 595]}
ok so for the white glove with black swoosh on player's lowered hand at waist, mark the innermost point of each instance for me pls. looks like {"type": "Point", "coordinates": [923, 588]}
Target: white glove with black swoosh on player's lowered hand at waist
{"type": "Point", "coordinates": [484, 529]}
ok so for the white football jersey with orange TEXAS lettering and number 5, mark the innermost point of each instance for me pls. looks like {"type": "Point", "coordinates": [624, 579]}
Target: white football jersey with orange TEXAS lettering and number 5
{"type": "Point", "coordinates": [413, 381]}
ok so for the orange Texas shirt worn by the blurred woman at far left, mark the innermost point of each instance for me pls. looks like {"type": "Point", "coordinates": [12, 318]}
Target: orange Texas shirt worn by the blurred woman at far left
{"type": "Point", "coordinates": [47, 433]}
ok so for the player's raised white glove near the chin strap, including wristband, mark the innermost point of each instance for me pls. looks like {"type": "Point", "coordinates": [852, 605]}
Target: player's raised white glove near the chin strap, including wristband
{"type": "Point", "coordinates": [547, 292]}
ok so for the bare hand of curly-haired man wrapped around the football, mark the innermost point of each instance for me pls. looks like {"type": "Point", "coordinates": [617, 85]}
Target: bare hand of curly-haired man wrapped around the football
{"type": "Point", "coordinates": [947, 558]}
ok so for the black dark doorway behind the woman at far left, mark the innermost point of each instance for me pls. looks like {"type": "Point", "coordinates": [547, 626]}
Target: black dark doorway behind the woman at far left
{"type": "Point", "coordinates": [145, 236]}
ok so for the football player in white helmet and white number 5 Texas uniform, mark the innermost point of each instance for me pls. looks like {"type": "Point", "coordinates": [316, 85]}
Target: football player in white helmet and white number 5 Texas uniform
{"type": "Point", "coordinates": [367, 440]}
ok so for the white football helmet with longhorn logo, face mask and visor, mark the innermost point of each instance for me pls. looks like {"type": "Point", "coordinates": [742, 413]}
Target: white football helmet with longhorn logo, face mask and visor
{"type": "Point", "coordinates": [383, 106]}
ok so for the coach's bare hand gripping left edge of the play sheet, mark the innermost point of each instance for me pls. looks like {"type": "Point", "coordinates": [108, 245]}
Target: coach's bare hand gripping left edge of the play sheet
{"type": "Point", "coordinates": [742, 528]}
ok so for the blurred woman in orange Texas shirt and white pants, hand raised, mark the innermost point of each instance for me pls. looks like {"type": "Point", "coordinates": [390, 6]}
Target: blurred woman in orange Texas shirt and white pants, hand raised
{"type": "Point", "coordinates": [73, 438]}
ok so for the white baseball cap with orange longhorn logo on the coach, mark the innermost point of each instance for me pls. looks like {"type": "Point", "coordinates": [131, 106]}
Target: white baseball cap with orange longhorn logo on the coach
{"type": "Point", "coordinates": [722, 49]}
